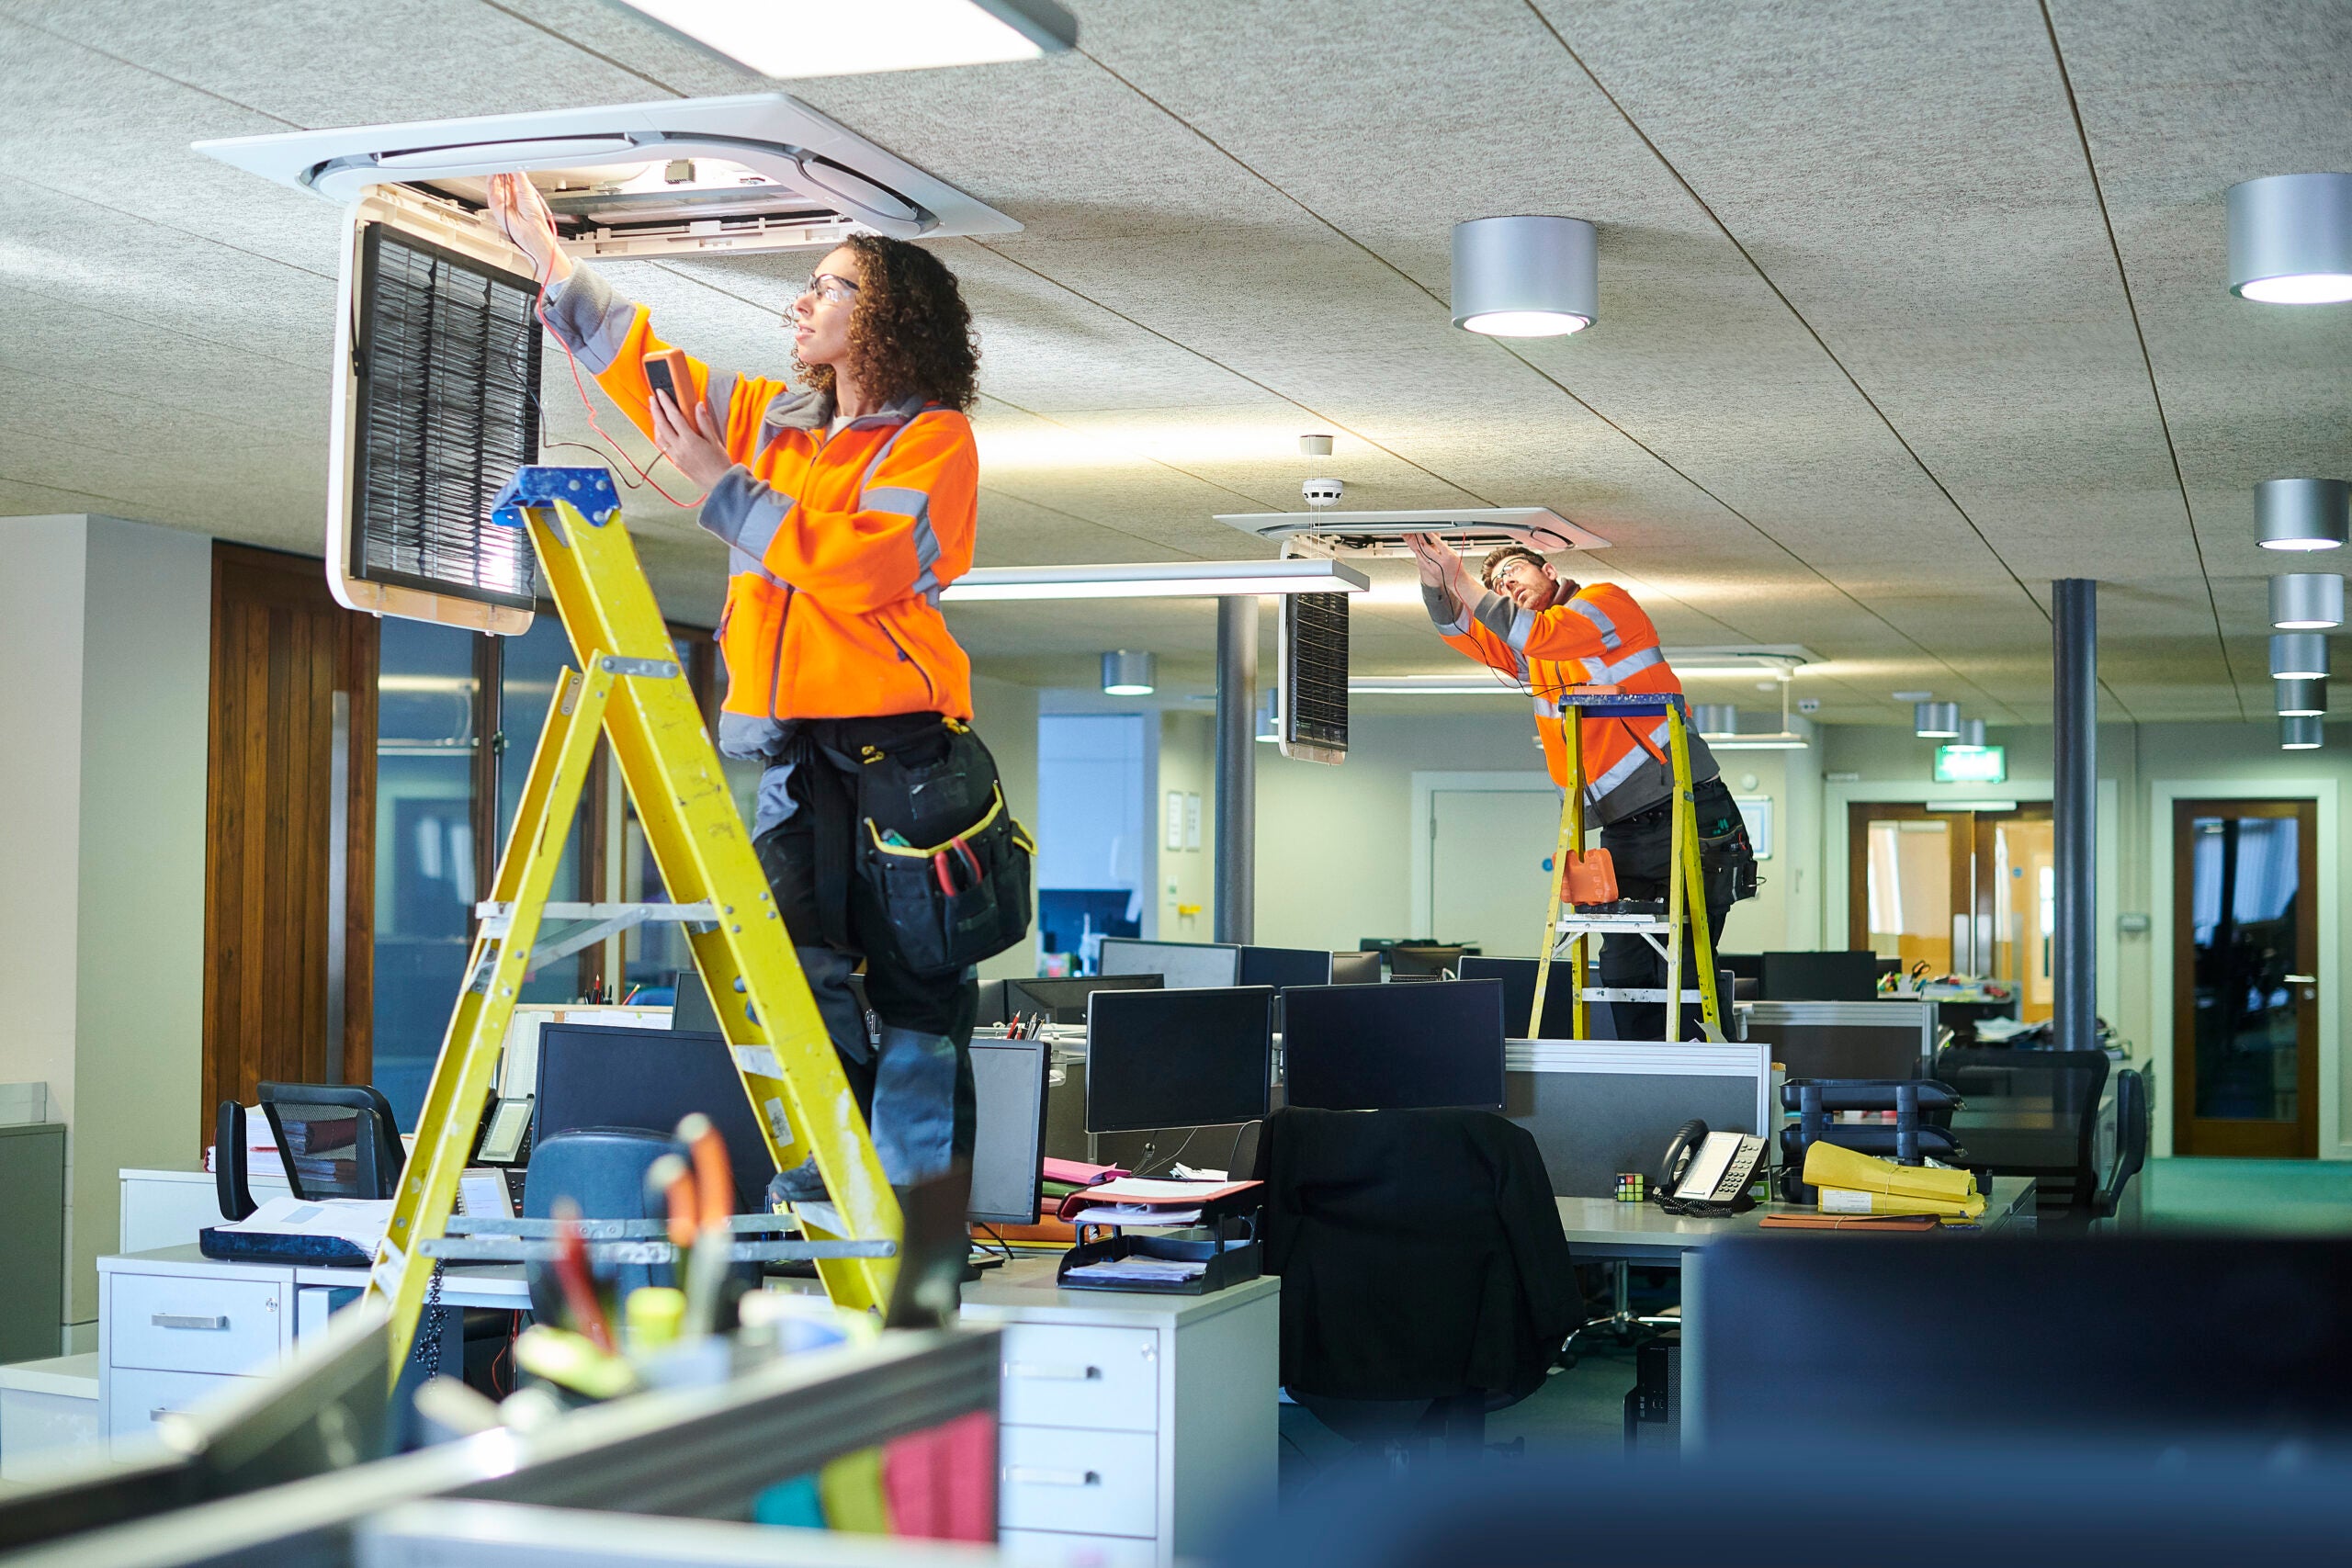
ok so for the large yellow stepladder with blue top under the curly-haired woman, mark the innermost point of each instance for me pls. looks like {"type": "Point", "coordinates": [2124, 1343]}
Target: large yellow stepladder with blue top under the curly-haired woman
{"type": "Point", "coordinates": [632, 690]}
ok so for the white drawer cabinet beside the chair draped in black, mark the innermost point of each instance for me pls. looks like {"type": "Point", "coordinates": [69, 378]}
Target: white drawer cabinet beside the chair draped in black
{"type": "Point", "coordinates": [1135, 1428]}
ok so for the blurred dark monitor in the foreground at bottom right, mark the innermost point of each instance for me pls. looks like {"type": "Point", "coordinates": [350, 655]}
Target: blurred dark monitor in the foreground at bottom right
{"type": "Point", "coordinates": [2076, 1341]}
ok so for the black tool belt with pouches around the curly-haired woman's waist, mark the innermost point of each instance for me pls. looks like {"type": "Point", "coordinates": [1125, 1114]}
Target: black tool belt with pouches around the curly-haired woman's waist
{"type": "Point", "coordinates": [914, 829]}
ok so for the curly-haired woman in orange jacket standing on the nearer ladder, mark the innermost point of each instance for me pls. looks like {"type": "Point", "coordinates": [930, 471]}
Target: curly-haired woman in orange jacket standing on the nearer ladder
{"type": "Point", "coordinates": [846, 509]}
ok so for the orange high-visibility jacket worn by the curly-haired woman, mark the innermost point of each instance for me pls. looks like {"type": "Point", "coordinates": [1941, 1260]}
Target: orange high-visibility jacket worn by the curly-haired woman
{"type": "Point", "coordinates": [838, 540]}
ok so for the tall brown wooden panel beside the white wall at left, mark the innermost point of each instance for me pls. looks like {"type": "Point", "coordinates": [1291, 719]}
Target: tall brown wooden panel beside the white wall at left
{"type": "Point", "coordinates": [290, 831]}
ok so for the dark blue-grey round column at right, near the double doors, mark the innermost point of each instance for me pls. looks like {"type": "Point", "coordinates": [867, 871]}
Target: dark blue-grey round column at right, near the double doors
{"type": "Point", "coordinates": [2076, 812]}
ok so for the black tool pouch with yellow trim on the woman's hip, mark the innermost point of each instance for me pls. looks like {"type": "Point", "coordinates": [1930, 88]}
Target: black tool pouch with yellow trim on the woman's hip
{"type": "Point", "coordinates": [956, 902]}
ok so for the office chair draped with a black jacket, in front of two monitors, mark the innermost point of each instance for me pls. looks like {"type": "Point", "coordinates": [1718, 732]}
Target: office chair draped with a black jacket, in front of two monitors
{"type": "Point", "coordinates": [1424, 1275]}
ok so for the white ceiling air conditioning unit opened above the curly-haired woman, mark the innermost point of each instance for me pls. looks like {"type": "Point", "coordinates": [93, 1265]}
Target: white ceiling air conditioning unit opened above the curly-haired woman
{"type": "Point", "coordinates": [681, 177]}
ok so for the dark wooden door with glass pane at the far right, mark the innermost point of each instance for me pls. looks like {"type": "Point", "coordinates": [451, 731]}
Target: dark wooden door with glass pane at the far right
{"type": "Point", "coordinates": [2247, 979]}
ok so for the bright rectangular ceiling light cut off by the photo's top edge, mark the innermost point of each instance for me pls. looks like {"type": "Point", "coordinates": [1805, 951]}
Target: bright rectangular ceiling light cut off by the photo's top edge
{"type": "Point", "coordinates": [789, 39]}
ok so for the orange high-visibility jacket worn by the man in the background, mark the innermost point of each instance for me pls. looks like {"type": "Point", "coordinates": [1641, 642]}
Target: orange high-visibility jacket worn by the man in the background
{"type": "Point", "coordinates": [1601, 638]}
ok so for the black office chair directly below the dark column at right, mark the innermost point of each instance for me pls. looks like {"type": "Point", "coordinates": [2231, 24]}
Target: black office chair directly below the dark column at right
{"type": "Point", "coordinates": [2066, 1085]}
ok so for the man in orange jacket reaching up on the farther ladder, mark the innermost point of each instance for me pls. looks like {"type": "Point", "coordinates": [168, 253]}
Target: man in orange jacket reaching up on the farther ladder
{"type": "Point", "coordinates": [1551, 634]}
